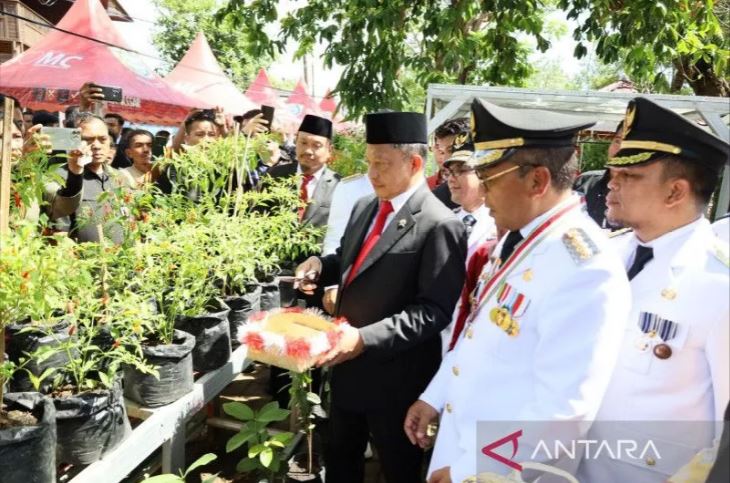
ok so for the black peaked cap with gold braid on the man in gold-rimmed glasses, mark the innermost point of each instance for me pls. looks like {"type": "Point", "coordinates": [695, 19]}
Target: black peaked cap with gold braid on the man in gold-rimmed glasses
{"type": "Point", "coordinates": [498, 131]}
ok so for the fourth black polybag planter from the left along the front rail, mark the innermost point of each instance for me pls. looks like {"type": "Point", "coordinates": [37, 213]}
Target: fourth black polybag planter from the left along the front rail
{"type": "Point", "coordinates": [212, 336]}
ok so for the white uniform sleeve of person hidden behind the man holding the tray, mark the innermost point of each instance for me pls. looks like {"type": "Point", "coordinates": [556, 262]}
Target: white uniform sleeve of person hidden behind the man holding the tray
{"type": "Point", "coordinates": [346, 194]}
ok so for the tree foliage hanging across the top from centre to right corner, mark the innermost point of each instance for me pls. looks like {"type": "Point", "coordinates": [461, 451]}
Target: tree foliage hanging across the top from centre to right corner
{"type": "Point", "coordinates": [387, 46]}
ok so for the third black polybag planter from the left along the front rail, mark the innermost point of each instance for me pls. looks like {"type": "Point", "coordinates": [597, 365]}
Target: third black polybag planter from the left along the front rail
{"type": "Point", "coordinates": [173, 362]}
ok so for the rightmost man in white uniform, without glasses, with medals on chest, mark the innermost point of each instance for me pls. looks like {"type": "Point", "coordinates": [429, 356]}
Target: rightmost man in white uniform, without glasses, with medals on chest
{"type": "Point", "coordinates": [674, 363]}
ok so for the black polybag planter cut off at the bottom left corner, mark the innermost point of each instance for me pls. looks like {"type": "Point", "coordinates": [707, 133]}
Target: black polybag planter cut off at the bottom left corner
{"type": "Point", "coordinates": [28, 453]}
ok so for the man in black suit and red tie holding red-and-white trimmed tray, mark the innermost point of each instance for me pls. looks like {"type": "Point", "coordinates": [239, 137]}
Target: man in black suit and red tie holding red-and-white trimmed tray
{"type": "Point", "coordinates": [400, 268]}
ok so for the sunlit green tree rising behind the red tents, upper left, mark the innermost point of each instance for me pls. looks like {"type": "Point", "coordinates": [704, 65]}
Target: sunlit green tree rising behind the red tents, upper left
{"type": "Point", "coordinates": [181, 20]}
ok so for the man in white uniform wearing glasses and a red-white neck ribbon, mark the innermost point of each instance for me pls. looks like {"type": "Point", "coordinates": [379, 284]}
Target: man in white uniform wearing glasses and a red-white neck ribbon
{"type": "Point", "coordinates": [546, 323]}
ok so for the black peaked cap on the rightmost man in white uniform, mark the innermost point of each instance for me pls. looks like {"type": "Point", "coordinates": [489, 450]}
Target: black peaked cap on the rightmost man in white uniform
{"type": "Point", "coordinates": [651, 131]}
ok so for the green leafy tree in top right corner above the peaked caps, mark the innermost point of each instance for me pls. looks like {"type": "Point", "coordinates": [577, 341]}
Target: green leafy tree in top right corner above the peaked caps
{"type": "Point", "coordinates": [662, 44]}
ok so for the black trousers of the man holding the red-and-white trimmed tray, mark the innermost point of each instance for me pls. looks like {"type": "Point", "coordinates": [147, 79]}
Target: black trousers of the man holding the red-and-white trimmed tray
{"type": "Point", "coordinates": [400, 461]}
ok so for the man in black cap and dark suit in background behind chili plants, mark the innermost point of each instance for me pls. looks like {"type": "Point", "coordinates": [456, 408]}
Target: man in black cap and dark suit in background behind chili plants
{"type": "Point", "coordinates": [318, 182]}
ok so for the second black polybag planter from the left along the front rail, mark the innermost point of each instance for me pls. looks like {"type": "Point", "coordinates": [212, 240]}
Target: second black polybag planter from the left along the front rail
{"type": "Point", "coordinates": [90, 424]}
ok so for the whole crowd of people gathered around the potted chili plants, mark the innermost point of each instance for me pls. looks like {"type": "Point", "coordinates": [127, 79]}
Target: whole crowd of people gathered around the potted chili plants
{"type": "Point", "coordinates": [498, 289]}
